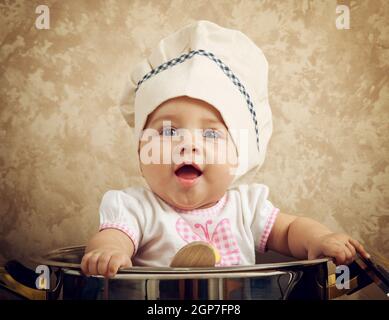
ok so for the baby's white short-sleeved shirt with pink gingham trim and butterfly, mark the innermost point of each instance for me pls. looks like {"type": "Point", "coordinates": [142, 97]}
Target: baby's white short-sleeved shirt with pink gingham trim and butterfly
{"type": "Point", "coordinates": [238, 225]}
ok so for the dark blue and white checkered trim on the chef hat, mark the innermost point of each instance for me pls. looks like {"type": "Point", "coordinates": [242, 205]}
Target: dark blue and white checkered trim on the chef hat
{"type": "Point", "coordinates": [222, 66]}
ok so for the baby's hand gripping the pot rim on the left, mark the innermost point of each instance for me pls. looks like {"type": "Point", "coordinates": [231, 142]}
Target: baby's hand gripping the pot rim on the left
{"type": "Point", "coordinates": [105, 261]}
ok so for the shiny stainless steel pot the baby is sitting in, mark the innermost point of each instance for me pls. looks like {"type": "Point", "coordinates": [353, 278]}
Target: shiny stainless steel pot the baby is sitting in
{"type": "Point", "coordinates": [310, 279]}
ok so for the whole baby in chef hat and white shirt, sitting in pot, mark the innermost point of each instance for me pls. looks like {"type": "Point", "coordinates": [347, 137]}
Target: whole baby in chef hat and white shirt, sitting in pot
{"type": "Point", "coordinates": [202, 122]}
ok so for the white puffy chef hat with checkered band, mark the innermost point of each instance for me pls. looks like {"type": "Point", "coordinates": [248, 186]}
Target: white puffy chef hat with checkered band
{"type": "Point", "coordinates": [220, 66]}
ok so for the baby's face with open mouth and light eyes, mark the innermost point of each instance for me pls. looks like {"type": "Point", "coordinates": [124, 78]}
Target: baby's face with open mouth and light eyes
{"type": "Point", "coordinates": [195, 152]}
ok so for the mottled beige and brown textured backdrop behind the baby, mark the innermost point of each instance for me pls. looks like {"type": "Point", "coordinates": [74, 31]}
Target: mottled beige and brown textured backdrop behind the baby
{"type": "Point", "coordinates": [63, 142]}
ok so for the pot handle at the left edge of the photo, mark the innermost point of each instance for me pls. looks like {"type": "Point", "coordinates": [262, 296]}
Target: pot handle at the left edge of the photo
{"type": "Point", "coordinates": [21, 280]}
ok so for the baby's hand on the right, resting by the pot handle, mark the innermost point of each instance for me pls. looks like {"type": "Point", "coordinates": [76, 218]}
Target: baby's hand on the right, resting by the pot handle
{"type": "Point", "coordinates": [339, 246]}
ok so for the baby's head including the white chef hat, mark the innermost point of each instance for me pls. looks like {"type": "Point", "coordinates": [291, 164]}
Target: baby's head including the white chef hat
{"type": "Point", "coordinates": [208, 84]}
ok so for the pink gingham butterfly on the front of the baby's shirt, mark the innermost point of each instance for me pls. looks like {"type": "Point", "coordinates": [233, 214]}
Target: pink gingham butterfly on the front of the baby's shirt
{"type": "Point", "coordinates": [222, 238]}
